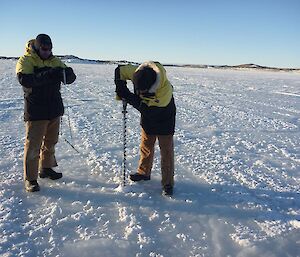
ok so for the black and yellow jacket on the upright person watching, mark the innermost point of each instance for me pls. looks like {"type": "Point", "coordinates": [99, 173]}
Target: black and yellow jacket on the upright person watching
{"type": "Point", "coordinates": [41, 88]}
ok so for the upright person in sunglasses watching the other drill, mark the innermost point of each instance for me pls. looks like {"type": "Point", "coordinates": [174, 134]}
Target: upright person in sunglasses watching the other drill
{"type": "Point", "coordinates": [40, 73]}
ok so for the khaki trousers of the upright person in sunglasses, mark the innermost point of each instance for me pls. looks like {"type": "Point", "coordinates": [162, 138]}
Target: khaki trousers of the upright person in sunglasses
{"type": "Point", "coordinates": [39, 150]}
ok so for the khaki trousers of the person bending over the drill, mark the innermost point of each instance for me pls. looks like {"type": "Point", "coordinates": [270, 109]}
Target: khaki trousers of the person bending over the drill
{"type": "Point", "coordinates": [166, 152]}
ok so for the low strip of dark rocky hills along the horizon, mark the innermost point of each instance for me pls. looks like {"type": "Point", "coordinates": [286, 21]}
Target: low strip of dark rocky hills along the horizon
{"type": "Point", "coordinates": [249, 66]}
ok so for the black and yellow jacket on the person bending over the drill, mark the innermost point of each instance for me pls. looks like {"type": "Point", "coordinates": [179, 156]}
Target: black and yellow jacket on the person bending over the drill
{"type": "Point", "coordinates": [158, 111]}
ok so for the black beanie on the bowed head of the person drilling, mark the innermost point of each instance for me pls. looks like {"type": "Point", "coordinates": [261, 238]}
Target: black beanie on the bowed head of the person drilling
{"type": "Point", "coordinates": [144, 78]}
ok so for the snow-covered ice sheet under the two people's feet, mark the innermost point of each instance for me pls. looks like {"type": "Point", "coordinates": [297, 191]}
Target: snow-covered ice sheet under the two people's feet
{"type": "Point", "coordinates": [237, 147]}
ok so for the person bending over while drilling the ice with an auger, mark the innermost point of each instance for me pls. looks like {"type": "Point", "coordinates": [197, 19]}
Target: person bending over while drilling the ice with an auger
{"type": "Point", "coordinates": [153, 97]}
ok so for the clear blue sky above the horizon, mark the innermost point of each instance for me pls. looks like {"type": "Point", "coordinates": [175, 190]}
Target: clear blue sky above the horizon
{"type": "Point", "coordinates": [264, 32]}
